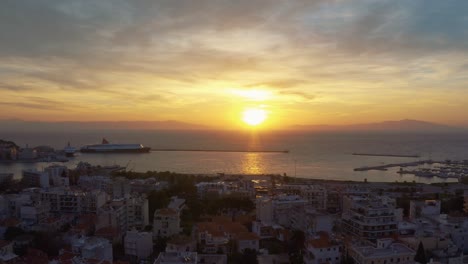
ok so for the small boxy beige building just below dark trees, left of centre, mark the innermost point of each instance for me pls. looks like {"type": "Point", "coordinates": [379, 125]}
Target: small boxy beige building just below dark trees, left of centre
{"type": "Point", "coordinates": [166, 222]}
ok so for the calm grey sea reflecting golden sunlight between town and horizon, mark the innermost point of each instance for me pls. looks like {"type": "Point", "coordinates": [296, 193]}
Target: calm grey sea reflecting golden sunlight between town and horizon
{"type": "Point", "coordinates": [314, 155]}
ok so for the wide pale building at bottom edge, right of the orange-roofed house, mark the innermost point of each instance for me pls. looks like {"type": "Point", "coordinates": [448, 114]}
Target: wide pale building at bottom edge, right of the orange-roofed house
{"type": "Point", "coordinates": [385, 251]}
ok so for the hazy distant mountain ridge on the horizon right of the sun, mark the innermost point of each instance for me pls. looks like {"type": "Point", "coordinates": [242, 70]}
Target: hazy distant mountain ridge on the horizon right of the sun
{"type": "Point", "coordinates": [405, 125]}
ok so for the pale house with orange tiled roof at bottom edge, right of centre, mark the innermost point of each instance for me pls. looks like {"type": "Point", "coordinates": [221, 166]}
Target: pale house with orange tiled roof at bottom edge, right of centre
{"type": "Point", "coordinates": [322, 249]}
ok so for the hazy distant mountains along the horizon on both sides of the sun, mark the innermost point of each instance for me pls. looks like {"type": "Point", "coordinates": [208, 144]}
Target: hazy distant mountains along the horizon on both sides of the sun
{"type": "Point", "coordinates": [405, 125]}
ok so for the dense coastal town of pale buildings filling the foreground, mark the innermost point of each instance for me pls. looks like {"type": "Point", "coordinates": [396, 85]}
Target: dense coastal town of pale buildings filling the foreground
{"type": "Point", "coordinates": [96, 214]}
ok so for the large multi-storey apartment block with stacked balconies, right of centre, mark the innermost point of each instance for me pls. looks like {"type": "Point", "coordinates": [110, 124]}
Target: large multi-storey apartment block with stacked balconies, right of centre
{"type": "Point", "coordinates": [369, 217]}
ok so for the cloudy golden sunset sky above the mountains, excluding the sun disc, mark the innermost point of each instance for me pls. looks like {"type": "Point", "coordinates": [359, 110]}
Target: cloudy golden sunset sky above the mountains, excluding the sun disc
{"type": "Point", "coordinates": [208, 62]}
